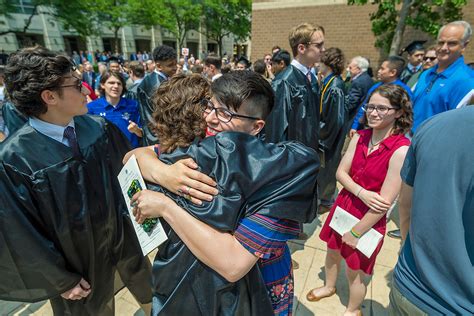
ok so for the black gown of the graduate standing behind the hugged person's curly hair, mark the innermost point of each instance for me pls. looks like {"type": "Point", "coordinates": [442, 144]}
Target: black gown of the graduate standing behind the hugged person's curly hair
{"type": "Point", "coordinates": [145, 92]}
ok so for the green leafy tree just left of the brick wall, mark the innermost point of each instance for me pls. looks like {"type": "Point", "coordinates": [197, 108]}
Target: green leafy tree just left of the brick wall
{"type": "Point", "coordinates": [223, 18]}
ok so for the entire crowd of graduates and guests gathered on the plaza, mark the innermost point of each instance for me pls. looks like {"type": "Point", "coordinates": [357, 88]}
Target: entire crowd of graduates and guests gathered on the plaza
{"type": "Point", "coordinates": [237, 156]}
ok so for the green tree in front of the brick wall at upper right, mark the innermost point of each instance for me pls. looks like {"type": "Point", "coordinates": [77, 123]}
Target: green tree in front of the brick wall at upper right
{"type": "Point", "coordinates": [390, 19]}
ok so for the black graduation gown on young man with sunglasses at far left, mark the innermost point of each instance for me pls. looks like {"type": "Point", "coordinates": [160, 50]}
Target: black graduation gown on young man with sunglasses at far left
{"type": "Point", "coordinates": [64, 218]}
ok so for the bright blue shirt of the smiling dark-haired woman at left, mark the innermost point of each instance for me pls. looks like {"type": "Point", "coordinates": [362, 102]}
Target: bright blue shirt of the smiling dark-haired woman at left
{"type": "Point", "coordinates": [126, 110]}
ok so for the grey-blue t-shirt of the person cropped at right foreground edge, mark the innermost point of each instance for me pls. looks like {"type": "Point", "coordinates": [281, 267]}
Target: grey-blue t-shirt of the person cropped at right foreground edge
{"type": "Point", "coordinates": [435, 269]}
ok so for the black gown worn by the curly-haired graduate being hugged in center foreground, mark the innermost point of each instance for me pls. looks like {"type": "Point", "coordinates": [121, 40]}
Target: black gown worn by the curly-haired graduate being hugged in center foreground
{"type": "Point", "coordinates": [273, 180]}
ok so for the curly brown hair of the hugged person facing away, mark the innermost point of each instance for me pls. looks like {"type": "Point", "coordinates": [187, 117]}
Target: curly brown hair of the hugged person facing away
{"type": "Point", "coordinates": [178, 115]}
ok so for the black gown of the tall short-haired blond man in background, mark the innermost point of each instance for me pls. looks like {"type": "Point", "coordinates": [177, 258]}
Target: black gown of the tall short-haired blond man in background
{"type": "Point", "coordinates": [295, 115]}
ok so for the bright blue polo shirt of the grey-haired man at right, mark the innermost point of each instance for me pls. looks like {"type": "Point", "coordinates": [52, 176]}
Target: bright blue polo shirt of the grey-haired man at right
{"type": "Point", "coordinates": [440, 92]}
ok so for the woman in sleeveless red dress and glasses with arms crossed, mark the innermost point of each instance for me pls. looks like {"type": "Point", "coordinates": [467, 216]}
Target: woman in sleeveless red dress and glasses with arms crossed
{"type": "Point", "coordinates": [370, 175]}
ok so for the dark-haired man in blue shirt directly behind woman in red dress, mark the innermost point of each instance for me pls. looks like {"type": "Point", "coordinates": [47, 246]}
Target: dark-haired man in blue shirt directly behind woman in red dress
{"type": "Point", "coordinates": [389, 73]}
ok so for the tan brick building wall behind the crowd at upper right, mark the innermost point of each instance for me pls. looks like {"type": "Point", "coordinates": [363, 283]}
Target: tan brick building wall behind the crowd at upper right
{"type": "Point", "coordinates": [347, 27]}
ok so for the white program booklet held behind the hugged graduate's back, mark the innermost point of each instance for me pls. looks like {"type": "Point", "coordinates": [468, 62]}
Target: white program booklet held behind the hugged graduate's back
{"type": "Point", "coordinates": [131, 182]}
